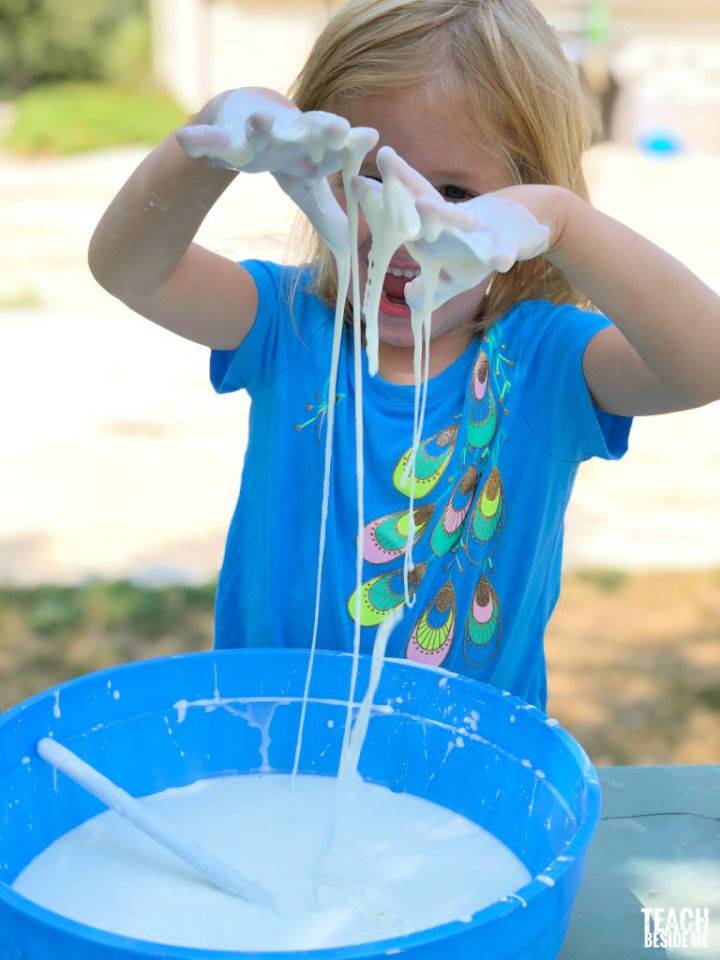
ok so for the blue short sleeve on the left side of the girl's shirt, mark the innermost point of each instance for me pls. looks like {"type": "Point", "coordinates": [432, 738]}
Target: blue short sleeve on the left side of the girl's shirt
{"type": "Point", "coordinates": [273, 341]}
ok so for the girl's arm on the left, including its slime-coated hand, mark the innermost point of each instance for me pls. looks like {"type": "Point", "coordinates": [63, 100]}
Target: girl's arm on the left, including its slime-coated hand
{"type": "Point", "coordinates": [142, 250]}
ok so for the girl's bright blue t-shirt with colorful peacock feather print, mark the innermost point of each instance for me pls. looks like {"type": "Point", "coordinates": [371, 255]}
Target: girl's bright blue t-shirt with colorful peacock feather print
{"type": "Point", "coordinates": [506, 426]}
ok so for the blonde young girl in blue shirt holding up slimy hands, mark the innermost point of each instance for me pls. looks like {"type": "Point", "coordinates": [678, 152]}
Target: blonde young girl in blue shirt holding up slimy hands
{"type": "Point", "coordinates": [527, 378]}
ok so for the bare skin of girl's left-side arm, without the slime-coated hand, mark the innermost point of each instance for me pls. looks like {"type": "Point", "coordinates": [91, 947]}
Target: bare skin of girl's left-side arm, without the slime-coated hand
{"type": "Point", "coordinates": [142, 250]}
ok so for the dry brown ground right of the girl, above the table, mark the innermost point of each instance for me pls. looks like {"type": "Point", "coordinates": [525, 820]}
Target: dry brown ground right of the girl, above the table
{"type": "Point", "coordinates": [634, 665]}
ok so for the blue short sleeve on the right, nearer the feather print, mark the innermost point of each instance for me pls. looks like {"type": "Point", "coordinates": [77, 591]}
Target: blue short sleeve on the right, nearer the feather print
{"type": "Point", "coordinates": [558, 406]}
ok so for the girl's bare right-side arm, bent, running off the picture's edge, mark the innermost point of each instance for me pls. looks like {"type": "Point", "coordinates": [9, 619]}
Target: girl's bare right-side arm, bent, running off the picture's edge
{"type": "Point", "coordinates": [664, 354]}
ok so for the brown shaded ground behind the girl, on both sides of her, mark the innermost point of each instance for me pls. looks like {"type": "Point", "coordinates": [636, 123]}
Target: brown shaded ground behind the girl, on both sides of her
{"type": "Point", "coordinates": [633, 659]}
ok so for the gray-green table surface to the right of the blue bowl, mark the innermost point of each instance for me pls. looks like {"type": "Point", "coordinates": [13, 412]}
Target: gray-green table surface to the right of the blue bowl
{"type": "Point", "coordinates": [657, 845]}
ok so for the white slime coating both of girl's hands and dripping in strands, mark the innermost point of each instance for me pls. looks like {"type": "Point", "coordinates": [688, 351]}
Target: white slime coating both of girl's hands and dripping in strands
{"type": "Point", "coordinates": [456, 246]}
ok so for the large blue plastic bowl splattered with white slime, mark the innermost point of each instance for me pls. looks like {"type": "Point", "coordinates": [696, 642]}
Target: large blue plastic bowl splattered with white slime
{"type": "Point", "coordinates": [116, 719]}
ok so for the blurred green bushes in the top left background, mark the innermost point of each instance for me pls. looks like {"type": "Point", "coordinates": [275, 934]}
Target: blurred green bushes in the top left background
{"type": "Point", "coordinates": [80, 76]}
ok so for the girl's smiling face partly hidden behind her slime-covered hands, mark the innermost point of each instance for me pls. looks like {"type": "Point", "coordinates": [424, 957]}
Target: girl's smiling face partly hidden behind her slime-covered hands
{"type": "Point", "coordinates": [431, 141]}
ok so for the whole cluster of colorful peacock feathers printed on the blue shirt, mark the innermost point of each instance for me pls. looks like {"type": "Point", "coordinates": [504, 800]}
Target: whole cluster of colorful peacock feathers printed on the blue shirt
{"type": "Point", "coordinates": [460, 469]}
